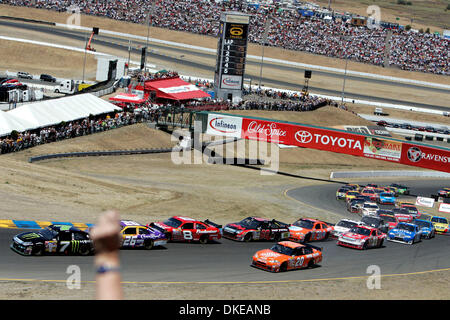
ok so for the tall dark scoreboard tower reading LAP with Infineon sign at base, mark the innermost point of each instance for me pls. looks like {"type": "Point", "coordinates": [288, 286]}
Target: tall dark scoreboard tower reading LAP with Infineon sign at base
{"type": "Point", "coordinates": [231, 56]}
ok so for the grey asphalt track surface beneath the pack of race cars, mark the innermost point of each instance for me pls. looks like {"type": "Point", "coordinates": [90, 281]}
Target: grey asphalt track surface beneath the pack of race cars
{"type": "Point", "coordinates": [229, 261]}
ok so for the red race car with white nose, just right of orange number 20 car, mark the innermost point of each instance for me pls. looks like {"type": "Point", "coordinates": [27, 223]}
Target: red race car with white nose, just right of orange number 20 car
{"type": "Point", "coordinates": [362, 237]}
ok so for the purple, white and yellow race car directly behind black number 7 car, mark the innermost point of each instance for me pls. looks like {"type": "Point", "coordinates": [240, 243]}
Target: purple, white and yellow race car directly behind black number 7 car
{"type": "Point", "coordinates": [136, 235]}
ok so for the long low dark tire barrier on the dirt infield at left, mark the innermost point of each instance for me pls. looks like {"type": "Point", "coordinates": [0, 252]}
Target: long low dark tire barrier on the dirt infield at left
{"type": "Point", "coordinates": [97, 154]}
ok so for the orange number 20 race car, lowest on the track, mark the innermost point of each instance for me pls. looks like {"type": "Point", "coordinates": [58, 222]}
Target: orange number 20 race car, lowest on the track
{"type": "Point", "coordinates": [287, 255]}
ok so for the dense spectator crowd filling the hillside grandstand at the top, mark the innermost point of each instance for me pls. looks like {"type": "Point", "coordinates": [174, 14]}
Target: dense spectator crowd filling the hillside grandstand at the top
{"type": "Point", "coordinates": [409, 50]}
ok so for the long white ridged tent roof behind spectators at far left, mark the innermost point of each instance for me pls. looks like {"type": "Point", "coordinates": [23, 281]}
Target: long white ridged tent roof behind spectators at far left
{"type": "Point", "coordinates": [53, 112]}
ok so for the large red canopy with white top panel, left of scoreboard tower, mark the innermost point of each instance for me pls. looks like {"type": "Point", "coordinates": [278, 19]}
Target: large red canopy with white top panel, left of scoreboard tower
{"type": "Point", "coordinates": [175, 89]}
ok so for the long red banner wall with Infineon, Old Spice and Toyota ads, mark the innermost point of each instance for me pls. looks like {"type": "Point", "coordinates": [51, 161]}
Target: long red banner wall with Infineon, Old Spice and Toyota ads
{"type": "Point", "coordinates": [321, 138]}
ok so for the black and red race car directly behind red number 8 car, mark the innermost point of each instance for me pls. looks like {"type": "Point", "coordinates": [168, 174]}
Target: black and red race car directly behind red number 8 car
{"type": "Point", "coordinates": [255, 228]}
